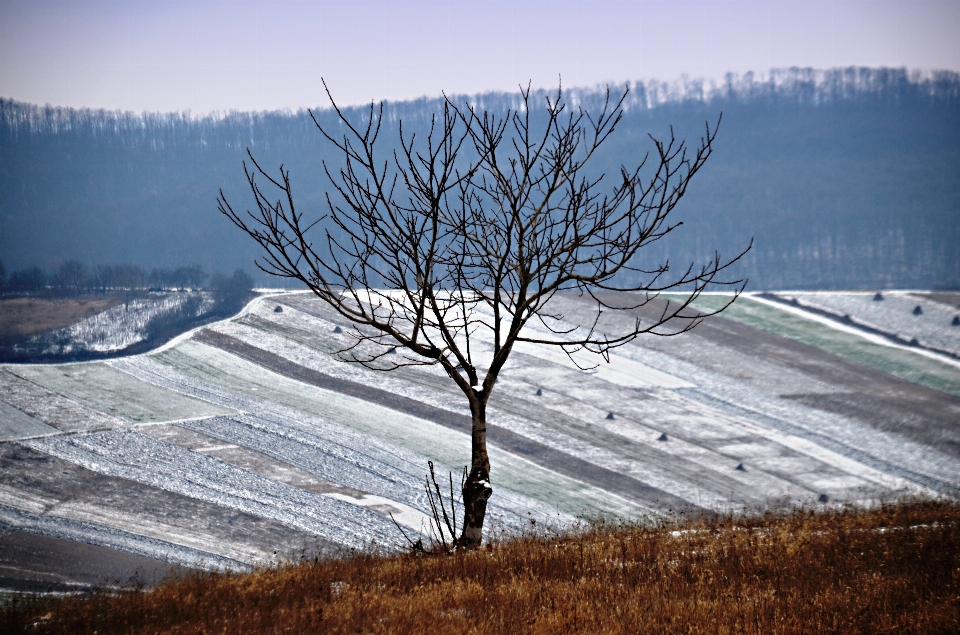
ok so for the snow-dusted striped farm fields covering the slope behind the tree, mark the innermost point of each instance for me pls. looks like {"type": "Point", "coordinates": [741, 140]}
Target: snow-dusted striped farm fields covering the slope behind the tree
{"type": "Point", "coordinates": [253, 420]}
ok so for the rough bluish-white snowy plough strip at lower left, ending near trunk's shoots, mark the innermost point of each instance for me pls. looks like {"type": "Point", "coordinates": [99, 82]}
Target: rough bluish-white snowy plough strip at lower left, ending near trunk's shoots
{"type": "Point", "coordinates": [129, 454]}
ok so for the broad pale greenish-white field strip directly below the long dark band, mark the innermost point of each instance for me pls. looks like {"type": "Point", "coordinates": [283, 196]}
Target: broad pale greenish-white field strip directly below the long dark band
{"type": "Point", "coordinates": [345, 439]}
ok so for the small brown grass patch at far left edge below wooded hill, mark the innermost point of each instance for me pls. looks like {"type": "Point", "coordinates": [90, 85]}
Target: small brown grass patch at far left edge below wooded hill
{"type": "Point", "coordinates": [29, 316]}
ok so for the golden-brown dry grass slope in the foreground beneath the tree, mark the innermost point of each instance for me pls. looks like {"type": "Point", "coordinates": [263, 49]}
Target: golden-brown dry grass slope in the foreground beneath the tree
{"type": "Point", "coordinates": [891, 570]}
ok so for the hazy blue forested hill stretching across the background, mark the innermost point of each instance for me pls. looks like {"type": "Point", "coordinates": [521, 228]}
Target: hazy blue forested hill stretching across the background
{"type": "Point", "coordinates": [845, 178]}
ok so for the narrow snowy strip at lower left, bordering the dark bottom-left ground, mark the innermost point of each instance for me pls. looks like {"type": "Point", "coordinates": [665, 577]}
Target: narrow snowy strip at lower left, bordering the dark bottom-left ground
{"type": "Point", "coordinates": [13, 519]}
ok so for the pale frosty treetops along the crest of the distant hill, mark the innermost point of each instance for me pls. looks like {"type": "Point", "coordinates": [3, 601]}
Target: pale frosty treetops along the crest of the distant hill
{"type": "Point", "coordinates": [793, 86]}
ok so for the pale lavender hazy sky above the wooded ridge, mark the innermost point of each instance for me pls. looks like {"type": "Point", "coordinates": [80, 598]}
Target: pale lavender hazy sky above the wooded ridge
{"type": "Point", "coordinates": [201, 55]}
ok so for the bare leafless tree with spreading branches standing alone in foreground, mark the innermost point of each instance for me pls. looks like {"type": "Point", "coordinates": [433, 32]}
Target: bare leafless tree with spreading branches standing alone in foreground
{"type": "Point", "coordinates": [445, 248]}
